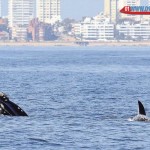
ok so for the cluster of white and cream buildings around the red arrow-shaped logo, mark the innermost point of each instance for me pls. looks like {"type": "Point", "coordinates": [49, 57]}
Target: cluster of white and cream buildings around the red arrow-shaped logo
{"type": "Point", "coordinates": [113, 25]}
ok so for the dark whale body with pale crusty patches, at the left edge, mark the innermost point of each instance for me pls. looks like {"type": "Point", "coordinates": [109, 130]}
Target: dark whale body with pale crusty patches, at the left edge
{"type": "Point", "coordinates": [9, 108]}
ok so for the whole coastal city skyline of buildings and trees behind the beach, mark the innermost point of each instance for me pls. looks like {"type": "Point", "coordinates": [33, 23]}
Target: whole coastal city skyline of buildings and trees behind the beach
{"type": "Point", "coordinates": [41, 20]}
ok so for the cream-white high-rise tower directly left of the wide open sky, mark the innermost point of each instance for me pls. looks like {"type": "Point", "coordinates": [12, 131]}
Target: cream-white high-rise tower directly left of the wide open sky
{"type": "Point", "coordinates": [48, 11]}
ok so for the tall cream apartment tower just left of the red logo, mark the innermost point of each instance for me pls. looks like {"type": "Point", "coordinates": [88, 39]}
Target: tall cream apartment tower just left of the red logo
{"type": "Point", "coordinates": [111, 9]}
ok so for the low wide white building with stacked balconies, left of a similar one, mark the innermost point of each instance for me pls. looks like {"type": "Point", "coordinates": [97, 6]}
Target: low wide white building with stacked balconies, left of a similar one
{"type": "Point", "coordinates": [94, 30]}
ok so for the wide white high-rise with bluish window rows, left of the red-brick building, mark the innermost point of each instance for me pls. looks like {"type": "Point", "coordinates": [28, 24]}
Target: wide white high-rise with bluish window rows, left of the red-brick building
{"type": "Point", "coordinates": [20, 13]}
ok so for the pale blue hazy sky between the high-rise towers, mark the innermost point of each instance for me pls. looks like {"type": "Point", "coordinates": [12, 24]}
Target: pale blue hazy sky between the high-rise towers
{"type": "Point", "coordinates": [74, 8]}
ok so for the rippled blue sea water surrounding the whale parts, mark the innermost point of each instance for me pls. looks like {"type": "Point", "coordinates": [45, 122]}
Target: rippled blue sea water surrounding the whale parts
{"type": "Point", "coordinates": [76, 98]}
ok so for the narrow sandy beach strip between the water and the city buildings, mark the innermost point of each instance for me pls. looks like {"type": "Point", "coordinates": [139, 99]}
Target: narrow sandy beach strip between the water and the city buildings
{"type": "Point", "coordinates": [74, 44]}
